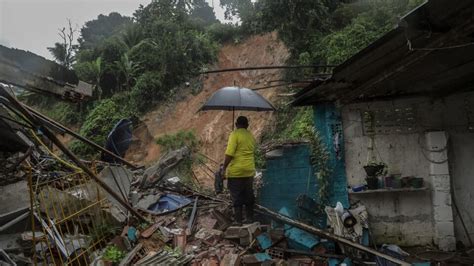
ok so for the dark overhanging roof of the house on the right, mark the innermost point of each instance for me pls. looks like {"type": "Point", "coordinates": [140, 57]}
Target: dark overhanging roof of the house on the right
{"type": "Point", "coordinates": [430, 53]}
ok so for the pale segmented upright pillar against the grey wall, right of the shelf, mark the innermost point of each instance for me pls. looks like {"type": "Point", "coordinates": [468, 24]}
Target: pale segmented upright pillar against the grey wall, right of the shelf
{"type": "Point", "coordinates": [436, 143]}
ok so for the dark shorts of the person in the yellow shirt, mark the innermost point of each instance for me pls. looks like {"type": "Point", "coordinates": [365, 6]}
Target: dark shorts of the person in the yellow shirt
{"type": "Point", "coordinates": [241, 191]}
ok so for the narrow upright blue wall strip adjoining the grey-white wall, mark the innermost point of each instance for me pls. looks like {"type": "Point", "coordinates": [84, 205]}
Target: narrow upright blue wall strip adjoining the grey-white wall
{"type": "Point", "coordinates": [328, 122]}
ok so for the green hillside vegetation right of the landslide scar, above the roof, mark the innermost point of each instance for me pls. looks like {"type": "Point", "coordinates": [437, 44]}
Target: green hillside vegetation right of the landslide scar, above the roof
{"type": "Point", "coordinates": [318, 32]}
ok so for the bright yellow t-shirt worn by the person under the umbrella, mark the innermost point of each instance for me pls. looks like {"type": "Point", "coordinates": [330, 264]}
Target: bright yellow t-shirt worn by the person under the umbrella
{"type": "Point", "coordinates": [241, 147]}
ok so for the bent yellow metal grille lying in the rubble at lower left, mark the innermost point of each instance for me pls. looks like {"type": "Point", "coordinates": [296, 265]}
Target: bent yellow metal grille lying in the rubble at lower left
{"type": "Point", "coordinates": [74, 216]}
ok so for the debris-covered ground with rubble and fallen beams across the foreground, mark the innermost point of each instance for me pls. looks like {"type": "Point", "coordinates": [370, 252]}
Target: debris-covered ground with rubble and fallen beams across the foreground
{"type": "Point", "coordinates": [64, 210]}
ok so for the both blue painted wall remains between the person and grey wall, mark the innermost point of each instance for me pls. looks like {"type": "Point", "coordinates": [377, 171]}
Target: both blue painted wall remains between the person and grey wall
{"type": "Point", "coordinates": [291, 175]}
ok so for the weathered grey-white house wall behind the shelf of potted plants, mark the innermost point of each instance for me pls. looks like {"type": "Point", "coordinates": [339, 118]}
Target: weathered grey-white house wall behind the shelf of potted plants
{"type": "Point", "coordinates": [408, 218]}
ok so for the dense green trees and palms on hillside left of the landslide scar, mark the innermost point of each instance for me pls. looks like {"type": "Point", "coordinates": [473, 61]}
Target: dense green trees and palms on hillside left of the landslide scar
{"type": "Point", "coordinates": [134, 63]}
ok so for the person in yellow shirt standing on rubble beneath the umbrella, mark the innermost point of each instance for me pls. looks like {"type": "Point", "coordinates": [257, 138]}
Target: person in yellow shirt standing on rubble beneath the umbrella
{"type": "Point", "coordinates": [239, 169]}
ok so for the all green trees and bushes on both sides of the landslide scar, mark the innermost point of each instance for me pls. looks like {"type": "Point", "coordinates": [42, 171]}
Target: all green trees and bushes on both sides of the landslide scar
{"type": "Point", "coordinates": [135, 63]}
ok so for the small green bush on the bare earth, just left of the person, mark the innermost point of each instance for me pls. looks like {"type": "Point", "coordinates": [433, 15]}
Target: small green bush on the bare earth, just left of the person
{"type": "Point", "coordinates": [175, 141]}
